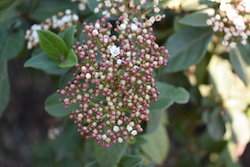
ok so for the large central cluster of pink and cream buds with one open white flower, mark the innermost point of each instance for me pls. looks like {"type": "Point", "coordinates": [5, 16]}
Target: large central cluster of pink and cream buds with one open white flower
{"type": "Point", "coordinates": [114, 83]}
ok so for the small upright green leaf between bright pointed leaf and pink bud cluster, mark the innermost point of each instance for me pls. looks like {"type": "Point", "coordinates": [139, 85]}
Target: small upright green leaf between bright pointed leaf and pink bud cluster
{"type": "Point", "coordinates": [68, 36]}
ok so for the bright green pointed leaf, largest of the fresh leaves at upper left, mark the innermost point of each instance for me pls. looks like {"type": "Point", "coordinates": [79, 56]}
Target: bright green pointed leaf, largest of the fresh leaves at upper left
{"type": "Point", "coordinates": [52, 44]}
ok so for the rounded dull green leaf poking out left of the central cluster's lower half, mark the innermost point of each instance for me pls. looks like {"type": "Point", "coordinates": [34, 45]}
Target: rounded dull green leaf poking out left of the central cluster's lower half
{"type": "Point", "coordinates": [56, 108]}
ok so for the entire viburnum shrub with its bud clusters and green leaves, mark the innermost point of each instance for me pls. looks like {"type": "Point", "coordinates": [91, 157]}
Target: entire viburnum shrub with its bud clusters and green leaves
{"type": "Point", "coordinates": [121, 66]}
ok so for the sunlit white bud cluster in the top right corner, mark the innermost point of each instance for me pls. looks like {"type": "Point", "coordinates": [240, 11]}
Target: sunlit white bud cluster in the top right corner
{"type": "Point", "coordinates": [230, 22]}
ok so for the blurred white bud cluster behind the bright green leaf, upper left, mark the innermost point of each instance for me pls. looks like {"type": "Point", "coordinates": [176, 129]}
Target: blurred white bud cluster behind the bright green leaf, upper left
{"type": "Point", "coordinates": [62, 21]}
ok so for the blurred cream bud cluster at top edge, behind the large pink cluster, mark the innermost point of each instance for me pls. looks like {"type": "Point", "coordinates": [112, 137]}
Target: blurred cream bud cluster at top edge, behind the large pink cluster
{"type": "Point", "coordinates": [130, 10]}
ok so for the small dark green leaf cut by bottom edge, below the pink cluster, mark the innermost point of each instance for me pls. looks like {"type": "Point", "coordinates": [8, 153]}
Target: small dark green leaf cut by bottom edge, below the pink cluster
{"type": "Point", "coordinates": [130, 161]}
